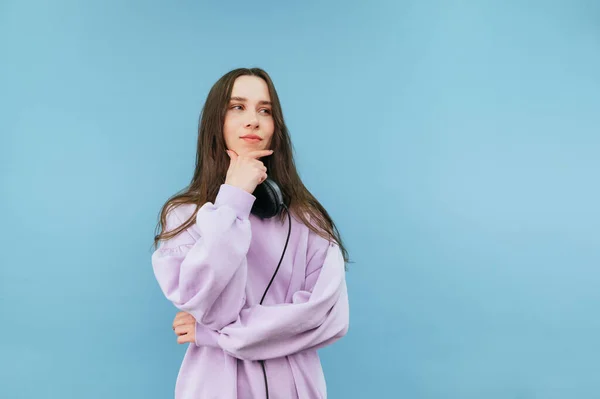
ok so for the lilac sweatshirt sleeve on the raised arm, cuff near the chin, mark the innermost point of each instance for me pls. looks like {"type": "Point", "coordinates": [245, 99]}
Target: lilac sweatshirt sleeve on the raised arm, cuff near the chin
{"type": "Point", "coordinates": [203, 270]}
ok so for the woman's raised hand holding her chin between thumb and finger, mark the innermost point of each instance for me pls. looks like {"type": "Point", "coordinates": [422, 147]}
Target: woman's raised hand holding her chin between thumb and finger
{"type": "Point", "coordinates": [246, 171]}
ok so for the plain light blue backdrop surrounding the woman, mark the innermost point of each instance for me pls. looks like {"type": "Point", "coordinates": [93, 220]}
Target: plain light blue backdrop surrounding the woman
{"type": "Point", "coordinates": [455, 143]}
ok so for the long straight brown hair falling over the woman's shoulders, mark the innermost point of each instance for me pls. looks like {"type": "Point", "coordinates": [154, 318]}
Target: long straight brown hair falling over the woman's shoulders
{"type": "Point", "coordinates": [212, 163]}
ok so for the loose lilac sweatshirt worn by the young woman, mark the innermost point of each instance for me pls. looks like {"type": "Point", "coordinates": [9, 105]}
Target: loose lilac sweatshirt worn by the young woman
{"type": "Point", "coordinates": [218, 269]}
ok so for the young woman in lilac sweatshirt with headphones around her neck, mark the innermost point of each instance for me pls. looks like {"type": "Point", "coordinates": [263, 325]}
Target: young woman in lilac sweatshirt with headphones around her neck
{"type": "Point", "coordinates": [258, 295]}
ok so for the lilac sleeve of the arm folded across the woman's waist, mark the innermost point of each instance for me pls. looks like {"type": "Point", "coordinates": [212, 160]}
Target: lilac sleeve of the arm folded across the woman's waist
{"type": "Point", "coordinates": [317, 316]}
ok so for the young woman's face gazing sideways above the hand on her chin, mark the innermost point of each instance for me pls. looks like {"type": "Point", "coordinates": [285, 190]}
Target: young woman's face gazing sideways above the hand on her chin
{"type": "Point", "coordinates": [249, 122]}
